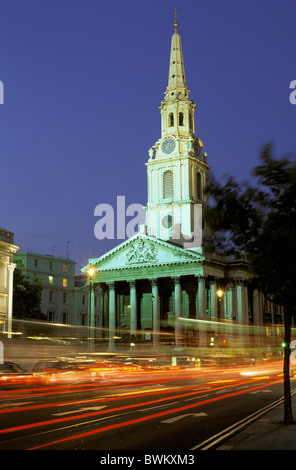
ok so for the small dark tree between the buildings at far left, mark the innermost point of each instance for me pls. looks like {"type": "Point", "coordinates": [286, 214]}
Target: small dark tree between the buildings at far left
{"type": "Point", "coordinates": [26, 294]}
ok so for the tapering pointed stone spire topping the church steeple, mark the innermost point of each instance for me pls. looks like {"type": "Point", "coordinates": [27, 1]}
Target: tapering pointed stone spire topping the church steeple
{"type": "Point", "coordinates": [176, 88]}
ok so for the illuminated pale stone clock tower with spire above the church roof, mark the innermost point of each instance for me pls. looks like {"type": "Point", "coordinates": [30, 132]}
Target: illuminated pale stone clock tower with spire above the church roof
{"type": "Point", "coordinates": [177, 169]}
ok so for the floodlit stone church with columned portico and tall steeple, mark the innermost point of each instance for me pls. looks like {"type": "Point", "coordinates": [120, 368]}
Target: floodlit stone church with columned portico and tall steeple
{"type": "Point", "coordinates": [160, 288]}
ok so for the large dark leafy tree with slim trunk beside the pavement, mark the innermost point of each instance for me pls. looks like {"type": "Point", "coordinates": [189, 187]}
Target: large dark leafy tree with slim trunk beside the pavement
{"type": "Point", "coordinates": [259, 220]}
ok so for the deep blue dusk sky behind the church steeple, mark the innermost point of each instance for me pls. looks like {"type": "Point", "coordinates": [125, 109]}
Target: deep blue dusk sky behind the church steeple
{"type": "Point", "coordinates": [83, 81]}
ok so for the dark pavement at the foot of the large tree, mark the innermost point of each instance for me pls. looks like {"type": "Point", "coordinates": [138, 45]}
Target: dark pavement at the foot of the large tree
{"type": "Point", "coordinates": [269, 432]}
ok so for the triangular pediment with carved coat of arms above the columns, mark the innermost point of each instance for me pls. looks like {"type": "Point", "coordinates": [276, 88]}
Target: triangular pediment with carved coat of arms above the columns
{"type": "Point", "coordinates": [142, 250]}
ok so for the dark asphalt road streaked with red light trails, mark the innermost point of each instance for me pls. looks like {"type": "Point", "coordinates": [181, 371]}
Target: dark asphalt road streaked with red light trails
{"type": "Point", "coordinates": [156, 410]}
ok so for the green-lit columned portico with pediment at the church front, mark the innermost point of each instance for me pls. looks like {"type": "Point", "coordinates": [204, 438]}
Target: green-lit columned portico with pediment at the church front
{"type": "Point", "coordinates": [159, 294]}
